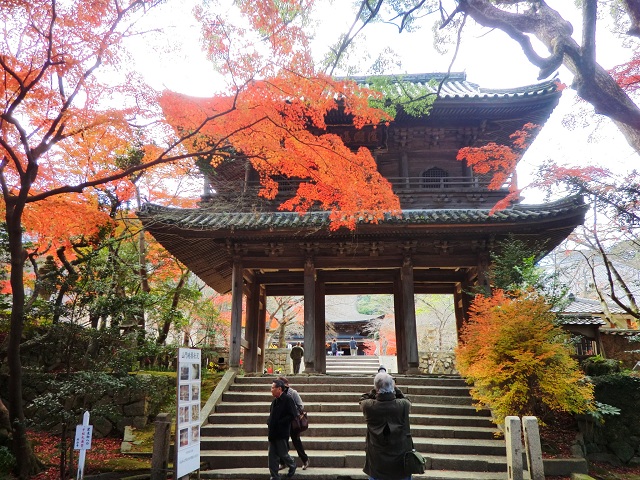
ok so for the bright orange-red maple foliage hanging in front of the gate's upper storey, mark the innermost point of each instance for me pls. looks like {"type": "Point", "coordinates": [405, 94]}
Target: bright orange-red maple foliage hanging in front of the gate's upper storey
{"type": "Point", "coordinates": [268, 125]}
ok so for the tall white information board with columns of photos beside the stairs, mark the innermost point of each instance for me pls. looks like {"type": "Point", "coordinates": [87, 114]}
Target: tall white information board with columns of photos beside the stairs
{"type": "Point", "coordinates": [188, 415]}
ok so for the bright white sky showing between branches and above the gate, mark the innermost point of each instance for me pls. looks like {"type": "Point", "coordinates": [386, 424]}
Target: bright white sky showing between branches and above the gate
{"type": "Point", "coordinates": [489, 58]}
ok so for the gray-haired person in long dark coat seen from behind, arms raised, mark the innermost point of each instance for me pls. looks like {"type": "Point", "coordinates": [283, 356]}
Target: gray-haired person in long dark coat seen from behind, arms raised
{"type": "Point", "coordinates": [388, 431]}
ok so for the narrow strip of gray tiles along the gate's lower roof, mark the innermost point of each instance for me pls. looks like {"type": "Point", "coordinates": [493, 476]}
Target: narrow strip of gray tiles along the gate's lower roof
{"type": "Point", "coordinates": [209, 219]}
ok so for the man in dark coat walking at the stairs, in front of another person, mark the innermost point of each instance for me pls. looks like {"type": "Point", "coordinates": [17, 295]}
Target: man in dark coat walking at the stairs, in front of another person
{"type": "Point", "coordinates": [282, 411]}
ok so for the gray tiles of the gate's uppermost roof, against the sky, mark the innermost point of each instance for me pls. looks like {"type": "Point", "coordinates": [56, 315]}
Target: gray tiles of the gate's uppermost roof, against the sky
{"type": "Point", "coordinates": [457, 86]}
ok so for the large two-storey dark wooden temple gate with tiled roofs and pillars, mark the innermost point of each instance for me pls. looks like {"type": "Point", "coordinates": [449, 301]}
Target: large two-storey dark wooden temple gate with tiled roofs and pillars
{"type": "Point", "coordinates": [442, 243]}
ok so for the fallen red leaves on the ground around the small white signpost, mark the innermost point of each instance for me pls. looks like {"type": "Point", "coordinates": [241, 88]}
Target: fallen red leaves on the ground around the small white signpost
{"type": "Point", "coordinates": [47, 448]}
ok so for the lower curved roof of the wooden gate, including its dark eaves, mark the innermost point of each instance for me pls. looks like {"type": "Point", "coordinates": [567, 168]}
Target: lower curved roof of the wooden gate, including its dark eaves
{"type": "Point", "coordinates": [206, 240]}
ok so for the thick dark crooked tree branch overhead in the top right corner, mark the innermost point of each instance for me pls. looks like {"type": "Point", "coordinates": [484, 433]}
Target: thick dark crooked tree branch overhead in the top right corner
{"type": "Point", "coordinates": [530, 21]}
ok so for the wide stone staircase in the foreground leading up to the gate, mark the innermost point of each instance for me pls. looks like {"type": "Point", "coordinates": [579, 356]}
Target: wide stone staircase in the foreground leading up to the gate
{"type": "Point", "coordinates": [458, 441]}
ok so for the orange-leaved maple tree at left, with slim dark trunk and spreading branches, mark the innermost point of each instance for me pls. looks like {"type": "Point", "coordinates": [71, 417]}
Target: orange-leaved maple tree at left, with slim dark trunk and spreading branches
{"type": "Point", "coordinates": [70, 104]}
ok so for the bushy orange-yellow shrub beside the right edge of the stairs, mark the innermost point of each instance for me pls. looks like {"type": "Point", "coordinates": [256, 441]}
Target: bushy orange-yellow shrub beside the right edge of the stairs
{"type": "Point", "coordinates": [518, 361]}
